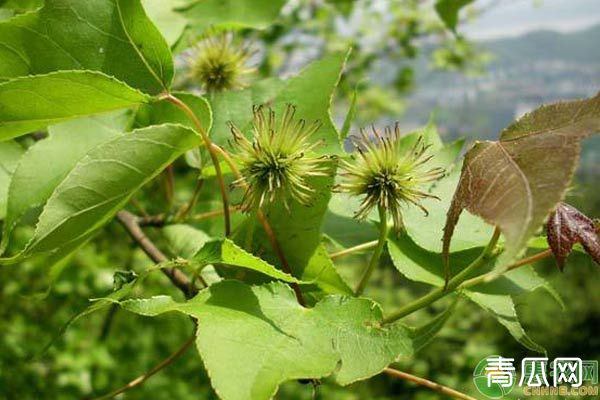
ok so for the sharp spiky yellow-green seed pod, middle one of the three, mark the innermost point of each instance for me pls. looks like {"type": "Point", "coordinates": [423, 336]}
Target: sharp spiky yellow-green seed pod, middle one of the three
{"type": "Point", "coordinates": [277, 162]}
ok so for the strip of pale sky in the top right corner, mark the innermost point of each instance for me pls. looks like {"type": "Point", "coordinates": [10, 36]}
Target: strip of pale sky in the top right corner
{"type": "Point", "coordinates": [514, 17]}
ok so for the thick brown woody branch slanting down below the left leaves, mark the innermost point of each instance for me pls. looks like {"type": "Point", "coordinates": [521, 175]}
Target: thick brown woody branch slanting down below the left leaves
{"type": "Point", "coordinates": [178, 278]}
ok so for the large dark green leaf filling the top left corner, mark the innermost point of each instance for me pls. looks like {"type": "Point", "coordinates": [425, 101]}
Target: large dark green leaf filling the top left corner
{"type": "Point", "coordinates": [112, 36]}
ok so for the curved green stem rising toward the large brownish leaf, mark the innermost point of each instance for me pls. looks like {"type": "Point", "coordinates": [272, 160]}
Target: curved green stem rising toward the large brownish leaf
{"type": "Point", "coordinates": [438, 293]}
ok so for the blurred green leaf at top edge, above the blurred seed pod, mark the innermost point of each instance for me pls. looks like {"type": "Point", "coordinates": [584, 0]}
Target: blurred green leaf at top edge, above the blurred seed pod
{"type": "Point", "coordinates": [228, 14]}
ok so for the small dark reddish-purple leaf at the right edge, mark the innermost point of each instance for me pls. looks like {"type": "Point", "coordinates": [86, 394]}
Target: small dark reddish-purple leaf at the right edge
{"type": "Point", "coordinates": [567, 226]}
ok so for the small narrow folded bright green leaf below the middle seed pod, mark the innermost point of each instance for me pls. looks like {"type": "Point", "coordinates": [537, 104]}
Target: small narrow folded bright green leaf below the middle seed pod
{"type": "Point", "coordinates": [228, 253]}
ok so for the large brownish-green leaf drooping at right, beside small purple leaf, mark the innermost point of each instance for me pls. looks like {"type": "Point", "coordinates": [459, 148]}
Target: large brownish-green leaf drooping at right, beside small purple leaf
{"type": "Point", "coordinates": [516, 182]}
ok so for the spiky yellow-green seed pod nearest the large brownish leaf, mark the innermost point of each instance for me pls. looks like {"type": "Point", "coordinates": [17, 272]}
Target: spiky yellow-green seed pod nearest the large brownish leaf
{"type": "Point", "coordinates": [387, 174]}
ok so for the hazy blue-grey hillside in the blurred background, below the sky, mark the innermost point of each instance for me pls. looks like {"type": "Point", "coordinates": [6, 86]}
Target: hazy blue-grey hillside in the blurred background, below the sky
{"type": "Point", "coordinates": [527, 71]}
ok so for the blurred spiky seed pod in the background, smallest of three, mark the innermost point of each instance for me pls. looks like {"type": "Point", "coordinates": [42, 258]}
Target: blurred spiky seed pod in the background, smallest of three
{"type": "Point", "coordinates": [217, 64]}
